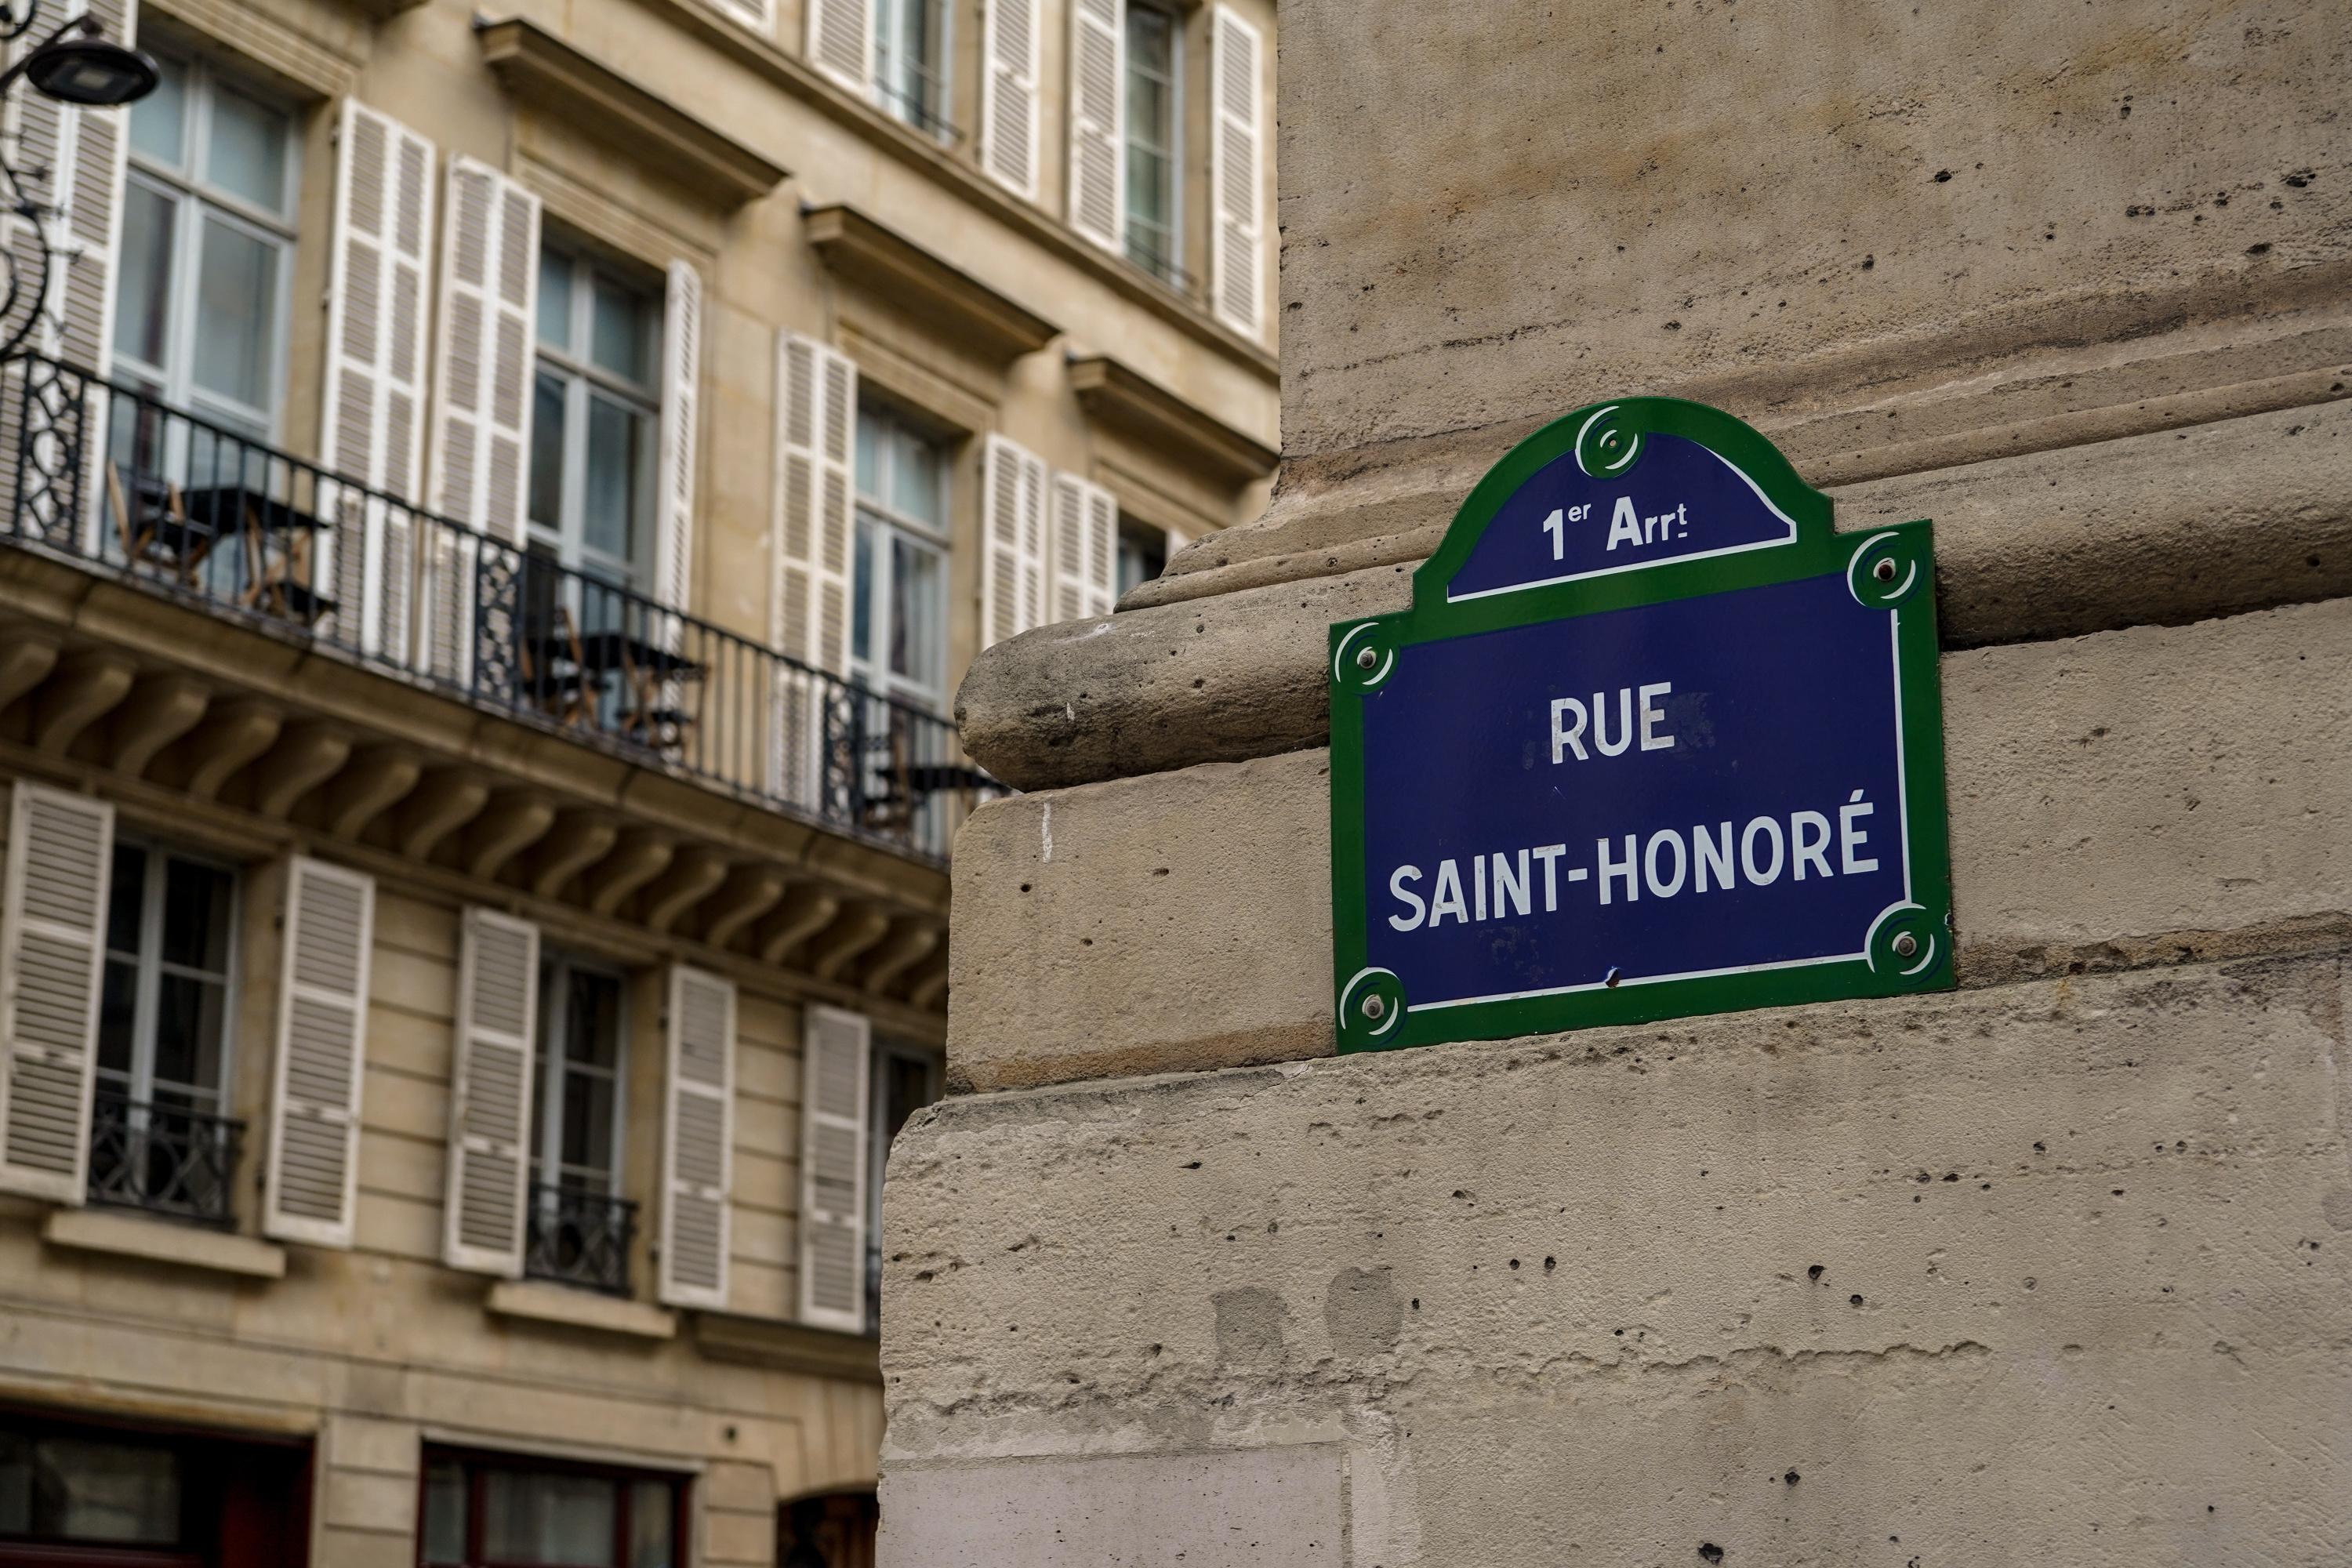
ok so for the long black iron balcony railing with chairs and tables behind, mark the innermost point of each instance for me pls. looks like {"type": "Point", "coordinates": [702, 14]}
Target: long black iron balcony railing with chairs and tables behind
{"type": "Point", "coordinates": [199, 511]}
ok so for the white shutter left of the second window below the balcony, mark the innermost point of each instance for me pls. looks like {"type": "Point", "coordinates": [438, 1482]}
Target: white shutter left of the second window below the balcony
{"type": "Point", "coordinates": [490, 1094]}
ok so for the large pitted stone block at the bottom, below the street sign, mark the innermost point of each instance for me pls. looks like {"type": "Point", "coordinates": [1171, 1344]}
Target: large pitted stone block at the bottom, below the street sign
{"type": "Point", "coordinates": [2036, 1273]}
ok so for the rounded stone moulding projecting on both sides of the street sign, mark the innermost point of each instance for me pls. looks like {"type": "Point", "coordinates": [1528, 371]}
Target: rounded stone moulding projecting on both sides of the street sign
{"type": "Point", "coordinates": [2156, 528]}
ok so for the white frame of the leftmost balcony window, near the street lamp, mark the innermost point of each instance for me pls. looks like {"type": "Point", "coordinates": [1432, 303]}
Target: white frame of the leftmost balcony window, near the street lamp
{"type": "Point", "coordinates": [194, 201]}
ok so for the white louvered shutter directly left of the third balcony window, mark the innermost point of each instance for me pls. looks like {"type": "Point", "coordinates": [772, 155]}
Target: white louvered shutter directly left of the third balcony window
{"type": "Point", "coordinates": [817, 408]}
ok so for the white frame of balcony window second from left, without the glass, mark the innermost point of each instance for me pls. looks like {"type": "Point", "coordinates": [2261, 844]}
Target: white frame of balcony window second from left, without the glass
{"type": "Point", "coordinates": [584, 380]}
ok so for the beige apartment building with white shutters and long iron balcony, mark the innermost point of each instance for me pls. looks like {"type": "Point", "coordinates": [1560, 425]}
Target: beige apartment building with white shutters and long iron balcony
{"type": "Point", "coordinates": [495, 516]}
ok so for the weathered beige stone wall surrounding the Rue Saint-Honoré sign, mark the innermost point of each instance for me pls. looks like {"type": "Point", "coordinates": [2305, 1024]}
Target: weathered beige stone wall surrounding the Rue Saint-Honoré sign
{"type": "Point", "coordinates": [2043, 1271]}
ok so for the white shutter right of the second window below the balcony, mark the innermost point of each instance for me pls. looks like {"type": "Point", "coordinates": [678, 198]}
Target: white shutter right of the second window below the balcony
{"type": "Point", "coordinates": [697, 1137]}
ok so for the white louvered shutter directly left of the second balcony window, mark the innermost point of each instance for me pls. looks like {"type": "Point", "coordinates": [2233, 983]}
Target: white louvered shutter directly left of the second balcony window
{"type": "Point", "coordinates": [483, 394]}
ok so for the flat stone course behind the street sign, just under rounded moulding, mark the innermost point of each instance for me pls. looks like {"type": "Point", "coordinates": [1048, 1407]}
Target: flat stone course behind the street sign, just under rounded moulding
{"type": "Point", "coordinates": [2125, 798]}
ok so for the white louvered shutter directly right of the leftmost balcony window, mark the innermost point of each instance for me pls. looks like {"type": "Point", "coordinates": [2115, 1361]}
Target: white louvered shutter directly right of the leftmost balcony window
{"type": "Point", "coordinates": [375, 394]}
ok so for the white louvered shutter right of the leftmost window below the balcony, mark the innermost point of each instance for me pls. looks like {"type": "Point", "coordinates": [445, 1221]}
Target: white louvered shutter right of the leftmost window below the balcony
{"type": "Point", "coordinates": [314, 1170]}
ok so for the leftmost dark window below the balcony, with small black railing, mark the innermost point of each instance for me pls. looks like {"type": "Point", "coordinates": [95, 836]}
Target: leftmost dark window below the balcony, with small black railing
{"type": "Point", "coordinates": [156, 1130]}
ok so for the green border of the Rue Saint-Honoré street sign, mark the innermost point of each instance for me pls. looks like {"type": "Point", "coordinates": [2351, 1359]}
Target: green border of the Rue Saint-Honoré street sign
{"type": "Point", "coordinates": [1370, 1005]}
